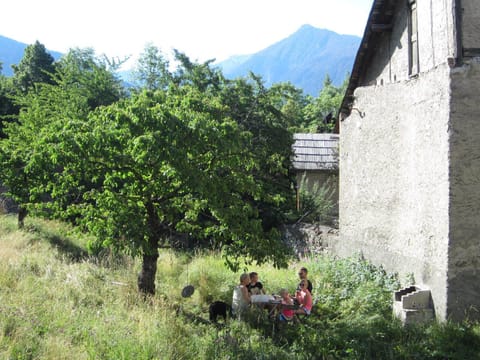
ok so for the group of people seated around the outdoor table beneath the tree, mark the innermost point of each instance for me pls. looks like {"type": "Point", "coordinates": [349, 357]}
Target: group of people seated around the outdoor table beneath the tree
{"type": "Point", "coordinates": [300, 303]}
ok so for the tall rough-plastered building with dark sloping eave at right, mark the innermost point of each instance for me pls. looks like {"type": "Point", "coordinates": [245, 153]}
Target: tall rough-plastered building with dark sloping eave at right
{"type": "Point", "coordinates": [410, 149]}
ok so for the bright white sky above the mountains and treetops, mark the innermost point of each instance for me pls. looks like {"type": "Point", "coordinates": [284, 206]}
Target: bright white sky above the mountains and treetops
{"type": "Point", "coordinates": [202, 29]}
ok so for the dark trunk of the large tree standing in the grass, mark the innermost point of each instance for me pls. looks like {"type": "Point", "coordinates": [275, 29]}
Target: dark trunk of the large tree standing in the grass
{"type": "Point", "coordinates": [146, 278]}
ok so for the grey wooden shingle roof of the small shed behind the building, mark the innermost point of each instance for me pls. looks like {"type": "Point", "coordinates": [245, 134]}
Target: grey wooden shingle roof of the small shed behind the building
{"type": "Point", "coordinates": [315, 151]}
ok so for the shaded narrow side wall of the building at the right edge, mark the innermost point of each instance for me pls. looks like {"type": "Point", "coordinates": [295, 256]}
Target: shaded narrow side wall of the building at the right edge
{"type": "Point", "coordinates": [464, 259]}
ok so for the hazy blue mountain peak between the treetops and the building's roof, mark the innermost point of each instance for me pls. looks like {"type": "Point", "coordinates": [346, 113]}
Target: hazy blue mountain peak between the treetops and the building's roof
{"type": "Point", "coordinates": [304, 59]}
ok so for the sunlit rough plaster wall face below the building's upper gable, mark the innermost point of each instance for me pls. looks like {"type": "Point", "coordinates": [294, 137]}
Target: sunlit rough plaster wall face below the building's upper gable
{"type": "Point", "coordinates": [394, 179]}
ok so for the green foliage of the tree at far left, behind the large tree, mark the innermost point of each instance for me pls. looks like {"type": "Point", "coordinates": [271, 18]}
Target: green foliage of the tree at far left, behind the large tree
{"type": "Point", "coordinates": [42, 144]}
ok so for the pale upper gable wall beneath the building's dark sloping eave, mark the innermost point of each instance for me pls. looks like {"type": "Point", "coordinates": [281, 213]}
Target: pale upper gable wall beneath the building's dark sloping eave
{"type": "Point", "coordinates": [435, 41]}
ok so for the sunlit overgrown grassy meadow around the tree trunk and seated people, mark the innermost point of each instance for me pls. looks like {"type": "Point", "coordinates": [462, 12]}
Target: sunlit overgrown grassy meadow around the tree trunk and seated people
{"type": "Point", "coordinates": [56, 302]}
